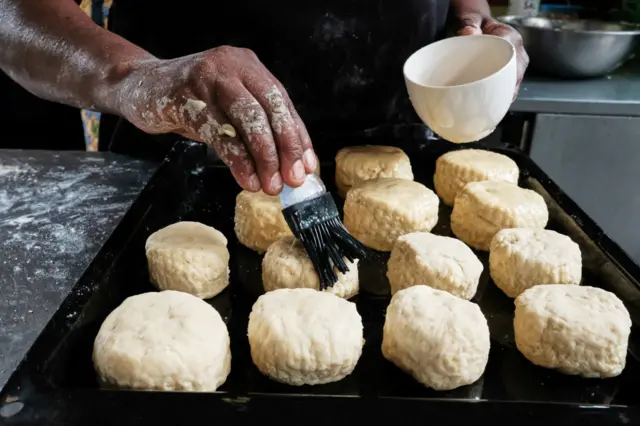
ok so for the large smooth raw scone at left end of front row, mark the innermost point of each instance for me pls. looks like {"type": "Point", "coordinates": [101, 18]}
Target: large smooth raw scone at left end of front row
{"type": "Point", "coordinates": [167, 341]}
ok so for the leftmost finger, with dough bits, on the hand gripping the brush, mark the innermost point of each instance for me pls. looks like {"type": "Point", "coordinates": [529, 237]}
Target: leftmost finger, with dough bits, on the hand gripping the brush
{"type": "Point", "coordinates": [209, 127]}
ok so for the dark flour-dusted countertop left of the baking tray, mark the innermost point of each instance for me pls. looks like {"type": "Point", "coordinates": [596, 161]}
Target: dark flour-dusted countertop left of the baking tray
{"type": "Point", "coordinates": [56, 211]}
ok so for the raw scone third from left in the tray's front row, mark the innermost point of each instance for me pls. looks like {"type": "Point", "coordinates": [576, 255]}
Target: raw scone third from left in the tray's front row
{"type": "Point", "coordinates": [441, 340]}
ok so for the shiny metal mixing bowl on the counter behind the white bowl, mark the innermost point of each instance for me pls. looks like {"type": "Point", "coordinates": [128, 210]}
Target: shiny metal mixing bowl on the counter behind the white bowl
{"type": "Point", "coordinates": [575, 48]}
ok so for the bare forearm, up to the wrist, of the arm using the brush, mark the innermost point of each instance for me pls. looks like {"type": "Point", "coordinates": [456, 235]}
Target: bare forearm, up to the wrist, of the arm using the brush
{"type": "Point", "coordinates": [55, 51]}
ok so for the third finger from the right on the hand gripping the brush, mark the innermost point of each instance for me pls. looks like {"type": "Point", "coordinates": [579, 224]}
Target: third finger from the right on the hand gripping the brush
{"type": "Point", "coordinates": [251, 121]}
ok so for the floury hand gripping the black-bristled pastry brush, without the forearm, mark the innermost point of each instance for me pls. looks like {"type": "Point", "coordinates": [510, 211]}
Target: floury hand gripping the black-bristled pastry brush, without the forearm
{"type": "Point", "coordinates": [226, 98]}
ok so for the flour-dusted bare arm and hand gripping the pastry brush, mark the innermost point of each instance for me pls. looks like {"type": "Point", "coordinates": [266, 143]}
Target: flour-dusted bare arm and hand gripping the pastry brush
{"type": "Point", "coordinates": [51, 48]}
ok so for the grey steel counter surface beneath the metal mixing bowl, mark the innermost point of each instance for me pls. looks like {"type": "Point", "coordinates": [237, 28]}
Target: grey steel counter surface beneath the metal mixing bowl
{"type": "Point", "coordinates": [614, 95]}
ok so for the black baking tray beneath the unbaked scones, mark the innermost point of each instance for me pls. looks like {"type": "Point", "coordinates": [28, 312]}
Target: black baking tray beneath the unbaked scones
{"type": "Point", "coordinates": [55, 384]}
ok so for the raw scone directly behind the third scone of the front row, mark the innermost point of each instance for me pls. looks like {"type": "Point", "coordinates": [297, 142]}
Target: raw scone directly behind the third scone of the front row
{"type": "Point", "coordinates": [440, 262]}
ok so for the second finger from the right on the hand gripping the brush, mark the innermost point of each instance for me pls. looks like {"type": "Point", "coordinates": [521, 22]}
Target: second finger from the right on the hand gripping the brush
{"type": "Point", "coordinates": [286, 133]}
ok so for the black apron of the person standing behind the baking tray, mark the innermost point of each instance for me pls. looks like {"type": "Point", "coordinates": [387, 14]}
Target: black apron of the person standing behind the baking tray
{"type": "Point", "coordinates": [340, 60]}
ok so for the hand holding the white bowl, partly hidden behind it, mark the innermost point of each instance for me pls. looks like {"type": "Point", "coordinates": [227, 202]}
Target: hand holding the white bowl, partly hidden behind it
{"type": "Point", "coordinates": [476, 23]}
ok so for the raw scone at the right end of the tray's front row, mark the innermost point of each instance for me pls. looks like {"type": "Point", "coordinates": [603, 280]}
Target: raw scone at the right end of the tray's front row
{"type": "Point", "coordinates": [576, 330]}
